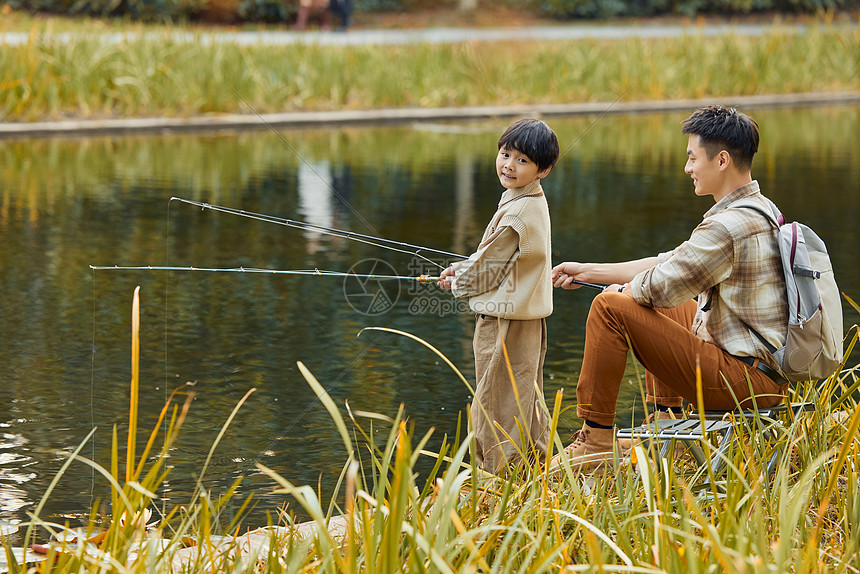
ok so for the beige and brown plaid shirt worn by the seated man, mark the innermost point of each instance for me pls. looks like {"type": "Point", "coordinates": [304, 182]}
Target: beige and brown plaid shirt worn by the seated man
{"type": "Point", "coordinates": [732, 263]}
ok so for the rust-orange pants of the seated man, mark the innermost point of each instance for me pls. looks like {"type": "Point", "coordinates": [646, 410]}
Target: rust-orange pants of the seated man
{"type": "Point", "coordinates": [662, 342]}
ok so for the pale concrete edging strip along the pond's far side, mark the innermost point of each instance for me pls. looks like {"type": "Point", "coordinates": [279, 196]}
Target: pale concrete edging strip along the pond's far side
{"type": "Point", "coordinates": [393, 116]}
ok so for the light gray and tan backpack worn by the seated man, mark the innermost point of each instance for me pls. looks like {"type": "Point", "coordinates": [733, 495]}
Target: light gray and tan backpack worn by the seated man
{"type": "Point", "coordinates": [813, 340]}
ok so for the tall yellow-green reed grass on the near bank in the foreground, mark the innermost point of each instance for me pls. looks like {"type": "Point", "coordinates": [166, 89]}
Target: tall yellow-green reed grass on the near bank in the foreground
{"type": "Point", "coordinates": [649, 516]}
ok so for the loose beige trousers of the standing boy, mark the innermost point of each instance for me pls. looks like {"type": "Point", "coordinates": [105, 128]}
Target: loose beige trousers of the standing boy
{"type": "Point", "coordinates": [516, 405]}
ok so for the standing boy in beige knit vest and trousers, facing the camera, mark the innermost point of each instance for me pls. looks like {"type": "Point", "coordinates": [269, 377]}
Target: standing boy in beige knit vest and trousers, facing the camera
{"type": "Point", "coordinates": [509, 286]}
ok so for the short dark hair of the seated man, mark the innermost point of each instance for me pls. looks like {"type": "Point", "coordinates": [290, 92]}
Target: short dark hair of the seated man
{"type": "Point", "coordinates": [723, 128]}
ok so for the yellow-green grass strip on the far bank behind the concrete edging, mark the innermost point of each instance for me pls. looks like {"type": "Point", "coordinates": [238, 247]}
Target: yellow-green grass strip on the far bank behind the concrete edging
{"type": "Point", "coordinates": [156, 75]}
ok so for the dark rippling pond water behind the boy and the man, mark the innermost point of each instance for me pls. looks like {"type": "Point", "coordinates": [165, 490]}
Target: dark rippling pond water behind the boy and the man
{"type": "Point", "coordinates": [618, 192]}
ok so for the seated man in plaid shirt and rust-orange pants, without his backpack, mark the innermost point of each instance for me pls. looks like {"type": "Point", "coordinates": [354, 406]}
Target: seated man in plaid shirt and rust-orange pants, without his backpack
{"type": "Point", "coordinates": [732, 263]}
